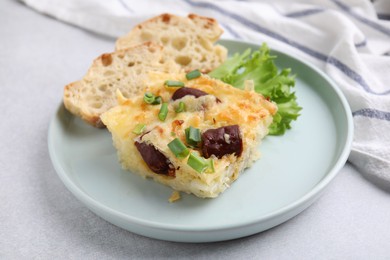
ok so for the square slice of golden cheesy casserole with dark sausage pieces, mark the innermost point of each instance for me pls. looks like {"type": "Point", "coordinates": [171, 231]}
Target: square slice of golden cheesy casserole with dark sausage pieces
{"type": "Point", "coordinates": [221, 106]}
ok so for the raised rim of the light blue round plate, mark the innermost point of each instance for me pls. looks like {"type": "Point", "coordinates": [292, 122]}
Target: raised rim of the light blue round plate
{"type": "Point", "coordinates": [300, 202]}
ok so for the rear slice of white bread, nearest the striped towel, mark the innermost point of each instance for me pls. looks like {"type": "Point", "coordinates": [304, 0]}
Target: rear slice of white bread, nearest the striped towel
{"type": "Point", "coordinates": [189, 41]}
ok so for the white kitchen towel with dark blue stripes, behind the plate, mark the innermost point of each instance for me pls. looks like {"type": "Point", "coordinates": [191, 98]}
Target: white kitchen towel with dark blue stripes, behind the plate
{"type": "Point", "coordinates": [347, 39]}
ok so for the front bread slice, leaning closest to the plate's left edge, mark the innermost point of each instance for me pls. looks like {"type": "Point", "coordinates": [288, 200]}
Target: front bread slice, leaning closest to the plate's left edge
{"type": "Point", "coordinates": [126, 70]}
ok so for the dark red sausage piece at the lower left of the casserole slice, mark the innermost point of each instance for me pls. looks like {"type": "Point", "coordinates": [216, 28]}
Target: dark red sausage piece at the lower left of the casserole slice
{"type": "Point", "coordinates": [156, 161]}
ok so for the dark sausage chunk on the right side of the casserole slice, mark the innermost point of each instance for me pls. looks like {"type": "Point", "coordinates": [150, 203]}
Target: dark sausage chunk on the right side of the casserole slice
{"type": "Point", "coordinates": [222, 141]}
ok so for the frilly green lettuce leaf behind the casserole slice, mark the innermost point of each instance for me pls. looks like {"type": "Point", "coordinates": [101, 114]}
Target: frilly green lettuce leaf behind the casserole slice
{"type": "Point", "coordinates": [276, 85]}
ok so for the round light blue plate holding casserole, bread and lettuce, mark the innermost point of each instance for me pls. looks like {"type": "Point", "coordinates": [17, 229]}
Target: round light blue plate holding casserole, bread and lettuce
{"type": "Point", "coordinates": [293, 171]}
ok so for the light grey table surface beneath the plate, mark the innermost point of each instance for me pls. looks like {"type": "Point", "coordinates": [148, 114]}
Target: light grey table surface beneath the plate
{"type": "Point", "coordinates": [40, 218]}
